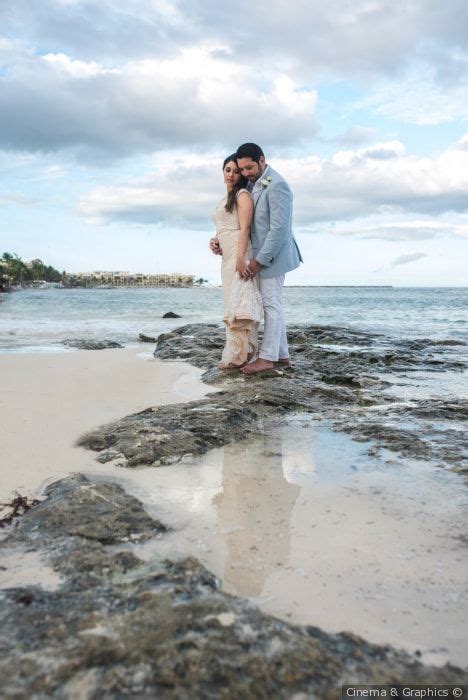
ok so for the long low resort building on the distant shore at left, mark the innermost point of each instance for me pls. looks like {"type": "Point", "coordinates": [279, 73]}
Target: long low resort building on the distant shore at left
{"type": "Point", "coordinates": [119, 278]}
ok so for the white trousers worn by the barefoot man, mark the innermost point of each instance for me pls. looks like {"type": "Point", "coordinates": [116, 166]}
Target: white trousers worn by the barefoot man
{"type": "Point", "coordinates": [275, 342]}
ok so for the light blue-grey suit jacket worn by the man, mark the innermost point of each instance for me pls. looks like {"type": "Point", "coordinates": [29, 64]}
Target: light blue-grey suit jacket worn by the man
{"type": "Point", "coordinates": [273, 243]}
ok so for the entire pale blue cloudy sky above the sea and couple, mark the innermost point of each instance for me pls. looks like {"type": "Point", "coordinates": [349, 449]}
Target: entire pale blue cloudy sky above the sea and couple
{"type": "Point", "coordinates": [115, 118]}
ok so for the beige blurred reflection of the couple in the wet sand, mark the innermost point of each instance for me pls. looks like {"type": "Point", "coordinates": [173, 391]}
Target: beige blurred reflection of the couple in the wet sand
{"type": "Point", "coordinates": [254, 511]}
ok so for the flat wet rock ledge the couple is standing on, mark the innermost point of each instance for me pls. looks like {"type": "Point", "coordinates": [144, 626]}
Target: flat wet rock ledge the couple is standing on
{"type": "Point", "coordinates": [338, 374]}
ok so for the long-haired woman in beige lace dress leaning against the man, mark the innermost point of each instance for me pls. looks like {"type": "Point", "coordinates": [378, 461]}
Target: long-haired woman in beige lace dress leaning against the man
{"type": "Point", "coordinates": [243, 308]}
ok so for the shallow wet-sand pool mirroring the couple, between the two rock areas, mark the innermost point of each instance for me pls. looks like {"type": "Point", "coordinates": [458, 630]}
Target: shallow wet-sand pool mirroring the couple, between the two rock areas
{"type": "Point", "coordinates": [316, 531]}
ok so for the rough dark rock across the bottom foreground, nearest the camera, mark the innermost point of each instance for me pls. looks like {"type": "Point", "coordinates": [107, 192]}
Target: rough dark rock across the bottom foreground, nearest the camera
{"type": "Point", "coordinates": [120, 627]}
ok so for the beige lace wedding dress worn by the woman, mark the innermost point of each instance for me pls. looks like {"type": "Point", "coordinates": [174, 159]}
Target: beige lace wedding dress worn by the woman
{"type": "Point", "coordinates": [243, 308]}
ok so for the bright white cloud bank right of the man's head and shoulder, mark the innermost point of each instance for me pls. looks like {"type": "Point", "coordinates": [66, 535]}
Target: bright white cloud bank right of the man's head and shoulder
{"type": "Point", "coordinates": [380, 180]}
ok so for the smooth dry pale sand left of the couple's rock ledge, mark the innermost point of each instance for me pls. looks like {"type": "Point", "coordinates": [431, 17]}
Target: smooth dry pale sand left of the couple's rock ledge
{"type": "Point", "coordinates": [47, 400]}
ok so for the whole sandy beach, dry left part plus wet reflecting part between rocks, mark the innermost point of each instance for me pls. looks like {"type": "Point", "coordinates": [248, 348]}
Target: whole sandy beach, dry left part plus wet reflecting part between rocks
{"type": "Point", "coordinates": [376, 549]}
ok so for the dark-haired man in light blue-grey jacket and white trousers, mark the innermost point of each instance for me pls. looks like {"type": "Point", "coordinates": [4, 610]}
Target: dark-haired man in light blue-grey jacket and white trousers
{"type": "Point", "coordinates": [275, 251]}
